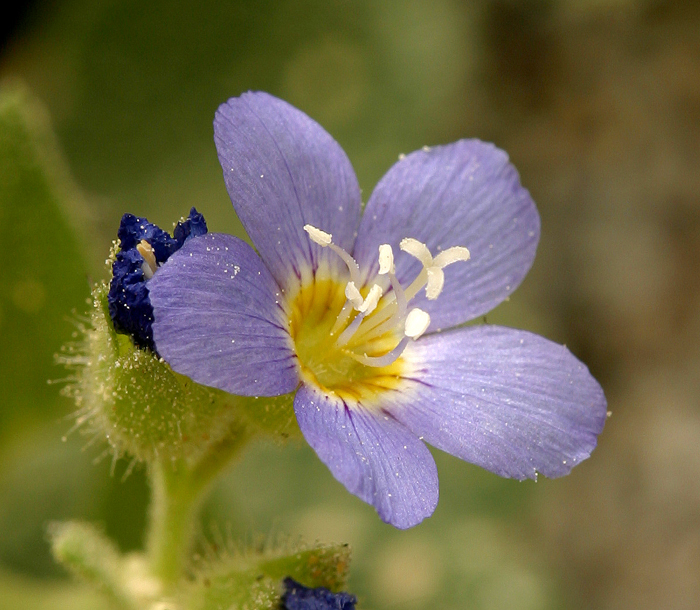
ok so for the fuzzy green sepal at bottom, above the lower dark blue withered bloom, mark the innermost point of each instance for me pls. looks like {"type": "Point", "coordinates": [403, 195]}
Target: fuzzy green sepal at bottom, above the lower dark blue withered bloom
{"type": "Point", "coordinates": [254, 579]}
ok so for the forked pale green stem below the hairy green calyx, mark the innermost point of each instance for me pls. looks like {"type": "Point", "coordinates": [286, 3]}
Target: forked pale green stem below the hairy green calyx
{"type": "Point", "coordinates": [177, 493]}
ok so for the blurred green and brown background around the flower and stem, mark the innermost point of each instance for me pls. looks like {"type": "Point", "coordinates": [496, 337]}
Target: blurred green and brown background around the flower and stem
{"type": "Point", "coordinates": [107, 107]}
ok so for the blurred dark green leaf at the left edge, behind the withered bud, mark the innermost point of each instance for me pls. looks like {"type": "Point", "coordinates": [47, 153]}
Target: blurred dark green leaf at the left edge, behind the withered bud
{"type": "Point", "coordinates": [44, 275]}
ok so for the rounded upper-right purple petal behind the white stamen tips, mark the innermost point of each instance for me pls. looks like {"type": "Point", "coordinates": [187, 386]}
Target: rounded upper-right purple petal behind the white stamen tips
{"type": "Point", "coordinates": [462, 194]}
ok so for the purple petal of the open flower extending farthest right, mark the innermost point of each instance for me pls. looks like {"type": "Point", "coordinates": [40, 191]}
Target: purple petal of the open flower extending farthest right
{"type": "Point", "coordinates": [507, 400]}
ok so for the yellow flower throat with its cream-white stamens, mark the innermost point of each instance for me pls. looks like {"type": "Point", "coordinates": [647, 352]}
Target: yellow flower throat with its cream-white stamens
{"type": "Point", "coordinates": [349, 338]}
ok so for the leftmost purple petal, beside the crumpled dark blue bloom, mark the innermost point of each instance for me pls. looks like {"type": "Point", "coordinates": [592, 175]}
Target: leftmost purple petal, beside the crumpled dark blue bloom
{"type": "Point", "coordinates": [218, 321]}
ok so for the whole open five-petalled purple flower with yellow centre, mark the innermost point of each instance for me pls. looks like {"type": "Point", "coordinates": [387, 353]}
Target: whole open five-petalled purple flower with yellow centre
{"type": "Point", "coordinates": [323, 309]}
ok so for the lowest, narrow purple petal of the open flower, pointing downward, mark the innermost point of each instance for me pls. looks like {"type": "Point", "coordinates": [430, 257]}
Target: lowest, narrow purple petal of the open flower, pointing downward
{"type": "Point", "coordinates": [375, 457]}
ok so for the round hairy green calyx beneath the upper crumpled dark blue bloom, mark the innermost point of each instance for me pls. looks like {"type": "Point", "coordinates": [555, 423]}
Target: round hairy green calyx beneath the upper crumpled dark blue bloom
{"type": "Point", "coordinates": [147, 410]}
